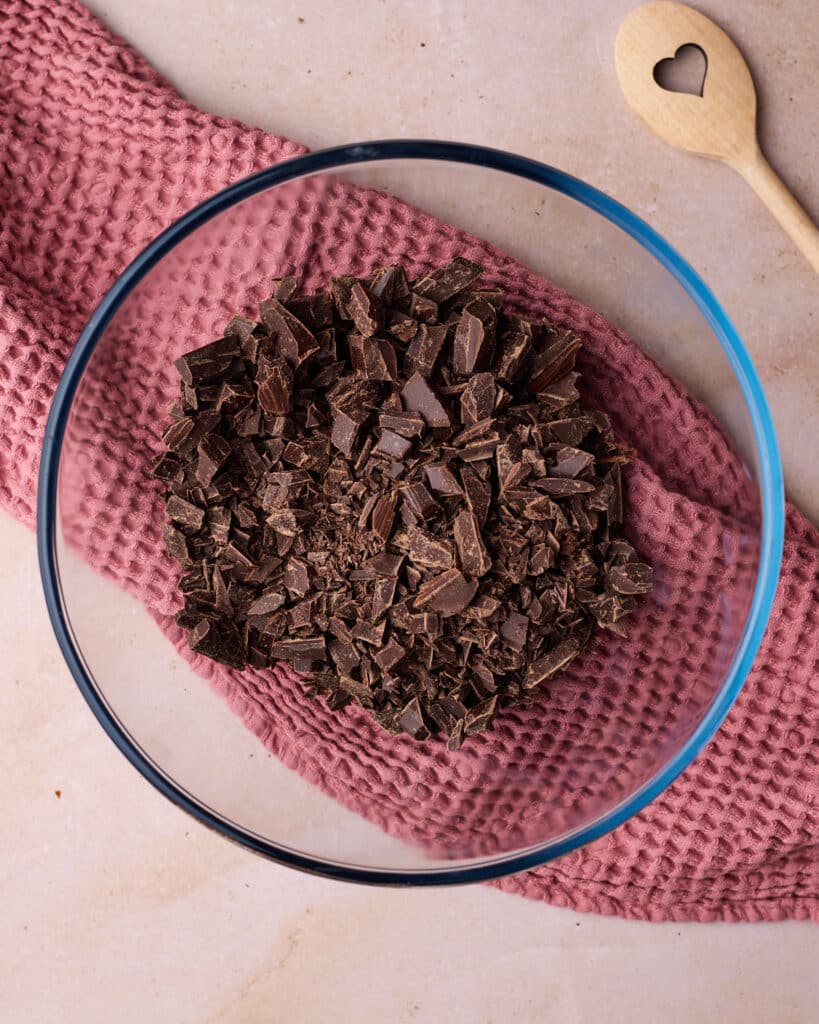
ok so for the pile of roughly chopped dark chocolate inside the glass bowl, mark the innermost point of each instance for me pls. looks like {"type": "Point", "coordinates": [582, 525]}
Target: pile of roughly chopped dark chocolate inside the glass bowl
{"type": "Point", "coordinates": [394, 488]}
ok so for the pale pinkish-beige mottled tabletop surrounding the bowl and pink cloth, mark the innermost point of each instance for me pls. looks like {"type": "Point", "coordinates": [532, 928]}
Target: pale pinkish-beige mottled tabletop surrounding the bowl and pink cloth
{"type": "Point", "coordinates": [116, 906]}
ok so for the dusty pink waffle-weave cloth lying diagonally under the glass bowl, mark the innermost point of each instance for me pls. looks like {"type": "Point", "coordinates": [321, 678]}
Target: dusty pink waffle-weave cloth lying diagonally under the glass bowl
{"type": "Point", "coordinates": [99, 156]}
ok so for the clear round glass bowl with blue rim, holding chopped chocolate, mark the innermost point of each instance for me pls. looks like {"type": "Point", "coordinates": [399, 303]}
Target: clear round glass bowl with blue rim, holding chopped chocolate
{"type": "Point", "coordinates": [332, 793]}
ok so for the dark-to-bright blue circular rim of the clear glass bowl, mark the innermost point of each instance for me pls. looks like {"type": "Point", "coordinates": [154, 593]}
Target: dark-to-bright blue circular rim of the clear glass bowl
{"type": "Point", "coordinates": [770, 480]}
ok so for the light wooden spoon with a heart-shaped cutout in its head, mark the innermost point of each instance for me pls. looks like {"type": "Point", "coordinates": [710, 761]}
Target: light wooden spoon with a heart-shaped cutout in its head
{"type": "Point", "coordinates": [722, 121]}
